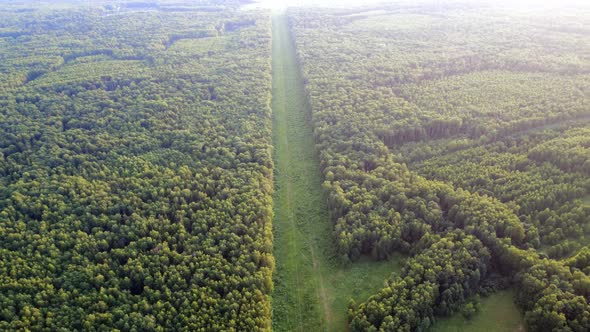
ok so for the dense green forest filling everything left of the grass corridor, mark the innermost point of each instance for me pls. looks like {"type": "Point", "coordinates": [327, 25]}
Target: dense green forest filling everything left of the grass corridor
{"type": "Point", "coordinates": [136, 194]}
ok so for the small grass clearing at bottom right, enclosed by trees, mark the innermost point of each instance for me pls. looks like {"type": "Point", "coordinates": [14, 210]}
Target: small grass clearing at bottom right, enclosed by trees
{"type": "Point", "coordinates": [498, 314]}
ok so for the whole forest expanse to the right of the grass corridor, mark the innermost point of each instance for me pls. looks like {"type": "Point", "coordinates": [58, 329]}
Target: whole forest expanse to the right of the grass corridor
{"type": "Point", "coordinates": [380, 206]}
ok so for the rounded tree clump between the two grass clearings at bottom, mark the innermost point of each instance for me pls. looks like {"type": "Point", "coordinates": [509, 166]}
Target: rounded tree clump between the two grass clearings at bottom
{"type": "Point", "coordinates": [435, 282]}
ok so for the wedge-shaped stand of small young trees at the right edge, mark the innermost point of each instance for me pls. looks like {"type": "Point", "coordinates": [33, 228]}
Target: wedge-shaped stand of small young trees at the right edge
{"type": "Point", "coordinates": [543, 195]}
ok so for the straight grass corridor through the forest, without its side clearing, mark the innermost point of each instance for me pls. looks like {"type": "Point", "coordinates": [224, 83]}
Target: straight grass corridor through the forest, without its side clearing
{"type": "Point", "coordinates": [299, 207]}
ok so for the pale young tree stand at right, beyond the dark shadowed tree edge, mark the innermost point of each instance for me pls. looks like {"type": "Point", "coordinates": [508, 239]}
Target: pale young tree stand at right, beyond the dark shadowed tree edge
{"type": "Point", "coordinates": [522, 102]}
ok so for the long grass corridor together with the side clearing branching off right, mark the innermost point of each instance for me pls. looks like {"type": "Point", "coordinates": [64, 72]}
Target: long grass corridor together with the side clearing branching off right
{"type": "Point", "coordinates": [311, 289]}
